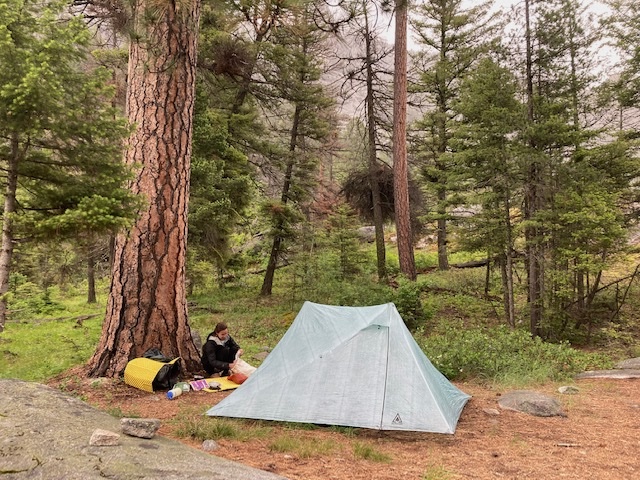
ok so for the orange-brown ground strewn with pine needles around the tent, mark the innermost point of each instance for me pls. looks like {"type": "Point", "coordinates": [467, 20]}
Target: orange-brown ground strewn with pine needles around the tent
{"type": "Point", "coordinates": [598, 439]}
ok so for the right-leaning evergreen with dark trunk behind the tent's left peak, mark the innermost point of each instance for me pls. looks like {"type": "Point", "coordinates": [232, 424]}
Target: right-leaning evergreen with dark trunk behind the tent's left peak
{"type": "Point", "coordinates": [298, 57]}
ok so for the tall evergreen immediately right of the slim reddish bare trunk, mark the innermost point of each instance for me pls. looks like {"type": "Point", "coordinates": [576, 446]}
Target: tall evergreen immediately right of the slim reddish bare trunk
{"type": "Point", "coordinates": [452, 39]}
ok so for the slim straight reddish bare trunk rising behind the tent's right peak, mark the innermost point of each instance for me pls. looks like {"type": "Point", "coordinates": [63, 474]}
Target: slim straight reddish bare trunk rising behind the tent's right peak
{"type": "Point", "coordinates": [400, 169]}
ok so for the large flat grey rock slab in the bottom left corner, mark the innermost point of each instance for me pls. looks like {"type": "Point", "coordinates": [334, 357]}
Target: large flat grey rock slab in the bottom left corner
{"type": "Point", "coordinates": [45, 434]}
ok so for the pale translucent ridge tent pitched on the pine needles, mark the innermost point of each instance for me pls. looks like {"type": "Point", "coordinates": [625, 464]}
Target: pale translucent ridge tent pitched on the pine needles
{"type": "Point", "coordinates": [350, 366]}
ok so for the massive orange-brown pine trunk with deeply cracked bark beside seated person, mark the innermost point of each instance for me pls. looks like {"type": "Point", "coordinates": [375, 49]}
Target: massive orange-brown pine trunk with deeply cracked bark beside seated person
{"type": "Point", "coordinates": [147, 302]}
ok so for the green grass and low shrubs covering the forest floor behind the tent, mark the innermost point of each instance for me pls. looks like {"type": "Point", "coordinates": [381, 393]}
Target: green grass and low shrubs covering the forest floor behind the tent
{"type": "Point", "coordinates": [455, 323]}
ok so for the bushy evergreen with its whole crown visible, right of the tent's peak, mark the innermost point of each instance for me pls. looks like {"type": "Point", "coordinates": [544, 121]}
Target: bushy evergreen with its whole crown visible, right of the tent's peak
{"type": "Point", "coordinates": [487, 153]}
